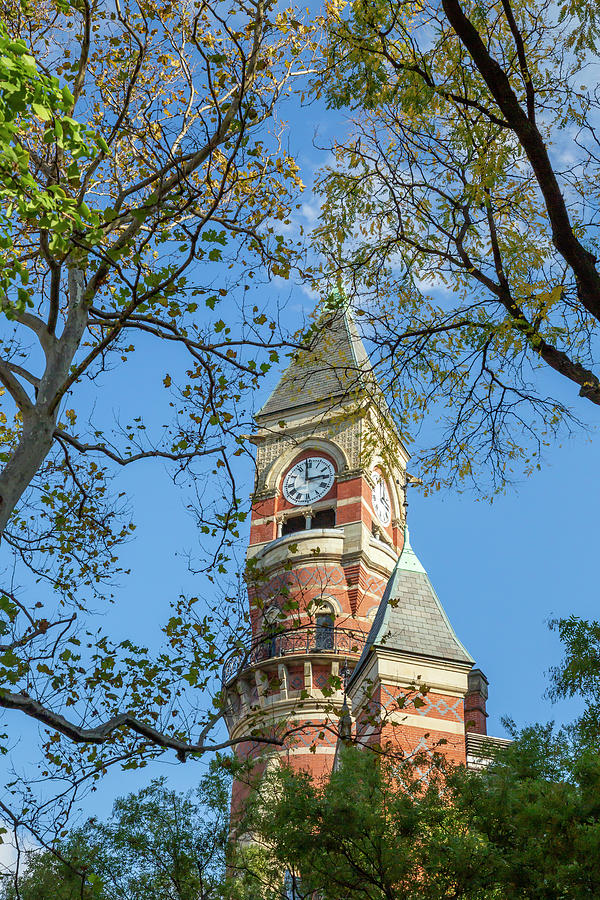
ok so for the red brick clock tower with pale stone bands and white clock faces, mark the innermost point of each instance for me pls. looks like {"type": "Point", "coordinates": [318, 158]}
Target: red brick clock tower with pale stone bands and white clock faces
{"type": "Point", "coordinates": [327, 533]}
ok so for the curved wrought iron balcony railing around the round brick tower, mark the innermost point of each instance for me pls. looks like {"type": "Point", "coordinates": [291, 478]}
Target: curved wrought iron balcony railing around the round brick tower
{"type": "Point", "coordinates": [305, 639]}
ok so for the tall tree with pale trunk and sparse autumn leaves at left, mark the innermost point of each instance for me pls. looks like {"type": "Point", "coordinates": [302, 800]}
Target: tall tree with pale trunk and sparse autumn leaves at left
{"type": "Point", "coordinates": [144, 189]}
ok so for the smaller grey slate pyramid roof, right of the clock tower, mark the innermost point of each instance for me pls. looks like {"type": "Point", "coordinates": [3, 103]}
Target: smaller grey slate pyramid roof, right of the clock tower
{"type": "Point", "coordinates": [410, 618]}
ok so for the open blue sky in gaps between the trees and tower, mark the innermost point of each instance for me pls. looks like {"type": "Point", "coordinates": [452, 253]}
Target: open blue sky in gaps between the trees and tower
{"type": "Point", "coordinates": [502, 570]}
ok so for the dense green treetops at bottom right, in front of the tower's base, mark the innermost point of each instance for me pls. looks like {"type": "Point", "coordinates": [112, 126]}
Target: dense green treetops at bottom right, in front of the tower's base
{"type": "Point", "coordinates": [529, 827]}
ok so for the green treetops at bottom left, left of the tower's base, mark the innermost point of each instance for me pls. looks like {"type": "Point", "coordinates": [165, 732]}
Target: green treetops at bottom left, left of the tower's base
{"type": "Point", "coordinates": [157, 845]}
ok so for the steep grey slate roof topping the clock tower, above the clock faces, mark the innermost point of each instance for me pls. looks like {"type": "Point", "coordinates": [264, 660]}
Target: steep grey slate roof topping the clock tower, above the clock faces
{"type": "Point", "coordinates": [336, 366]}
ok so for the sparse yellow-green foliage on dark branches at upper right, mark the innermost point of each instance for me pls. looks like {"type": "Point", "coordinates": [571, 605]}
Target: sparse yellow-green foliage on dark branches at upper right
{"type": "Point", "coordinates": [462, 212]}
